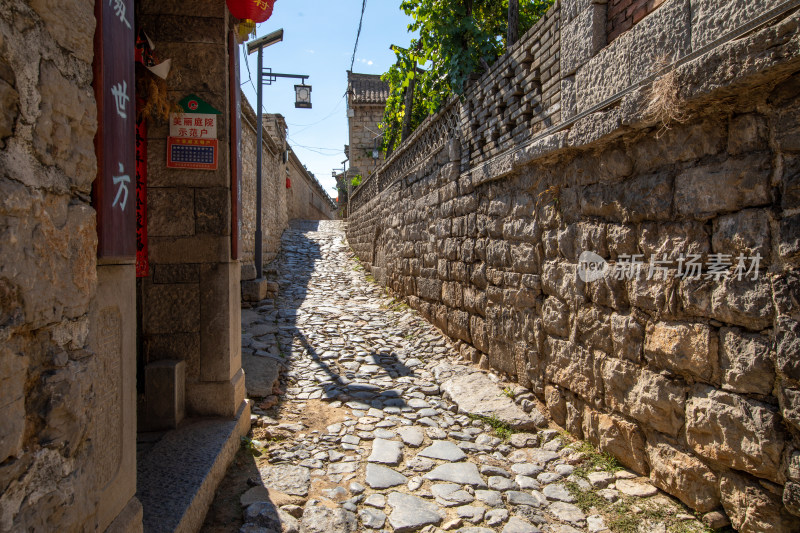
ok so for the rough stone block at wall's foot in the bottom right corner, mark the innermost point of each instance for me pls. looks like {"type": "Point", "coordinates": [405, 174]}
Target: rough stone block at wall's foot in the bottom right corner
{"type": "Point", "coordinates": [753, 506]}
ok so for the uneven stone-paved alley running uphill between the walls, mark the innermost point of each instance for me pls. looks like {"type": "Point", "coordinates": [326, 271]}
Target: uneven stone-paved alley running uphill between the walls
{"type": "Point", "coordinates": [376, 424]}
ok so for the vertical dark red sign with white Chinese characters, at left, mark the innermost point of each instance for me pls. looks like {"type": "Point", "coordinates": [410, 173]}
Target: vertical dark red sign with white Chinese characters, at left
{"type": "Point", "coordinates": [114, 192]}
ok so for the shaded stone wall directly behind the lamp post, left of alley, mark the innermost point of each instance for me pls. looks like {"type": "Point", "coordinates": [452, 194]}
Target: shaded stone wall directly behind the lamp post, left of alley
{"type": "Point", "coordinates": [274, 215]}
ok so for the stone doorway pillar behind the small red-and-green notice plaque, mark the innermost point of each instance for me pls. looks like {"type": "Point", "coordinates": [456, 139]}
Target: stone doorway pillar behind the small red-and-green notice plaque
{"type": "Point", "coordinates": [191, 300]}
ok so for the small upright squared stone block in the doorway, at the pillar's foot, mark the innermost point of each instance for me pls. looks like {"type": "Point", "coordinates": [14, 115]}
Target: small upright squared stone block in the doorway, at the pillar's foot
{"type": "Point", "coordinates": [165, 394]}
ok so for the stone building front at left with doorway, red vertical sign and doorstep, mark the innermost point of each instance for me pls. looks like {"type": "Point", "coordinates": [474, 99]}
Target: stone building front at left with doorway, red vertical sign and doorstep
{"type": "Point", "coordinates": [88, 350]}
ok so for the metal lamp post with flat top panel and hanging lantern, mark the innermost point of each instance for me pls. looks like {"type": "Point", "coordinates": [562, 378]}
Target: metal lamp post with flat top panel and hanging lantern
{"type": "Point", "coordinates": [302, 100]}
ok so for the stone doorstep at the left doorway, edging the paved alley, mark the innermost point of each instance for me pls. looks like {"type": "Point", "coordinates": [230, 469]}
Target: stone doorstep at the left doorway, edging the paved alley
{"type": "Point", "coordinates": [178, 477]}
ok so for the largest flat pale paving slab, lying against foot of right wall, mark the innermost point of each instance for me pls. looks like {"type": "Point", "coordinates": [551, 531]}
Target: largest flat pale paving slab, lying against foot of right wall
{"type": "Point", "coordinates": [475, 394]}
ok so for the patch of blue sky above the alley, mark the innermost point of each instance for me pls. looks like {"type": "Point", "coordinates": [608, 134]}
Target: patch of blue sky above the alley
{"type": "Point", "coordinates": [318, 41]}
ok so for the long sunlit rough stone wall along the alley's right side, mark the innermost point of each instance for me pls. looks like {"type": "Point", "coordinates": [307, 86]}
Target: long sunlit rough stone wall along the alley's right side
{"type": "Point", "coordinates": [693, 382]}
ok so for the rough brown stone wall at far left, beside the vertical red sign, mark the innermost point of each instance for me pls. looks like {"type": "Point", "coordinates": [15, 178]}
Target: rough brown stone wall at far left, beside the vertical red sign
{"type": "Point", "coordinates": [53, 410]}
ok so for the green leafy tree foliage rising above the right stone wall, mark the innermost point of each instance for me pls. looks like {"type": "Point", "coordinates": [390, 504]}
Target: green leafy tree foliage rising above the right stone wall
{"type": "Point", "coordinates": [456, 39]}
